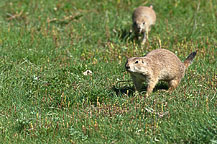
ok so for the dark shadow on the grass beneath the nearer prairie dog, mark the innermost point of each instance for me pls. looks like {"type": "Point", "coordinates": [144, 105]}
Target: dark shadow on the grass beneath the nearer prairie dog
{"type": "Point", "coordinates": [130, 90]}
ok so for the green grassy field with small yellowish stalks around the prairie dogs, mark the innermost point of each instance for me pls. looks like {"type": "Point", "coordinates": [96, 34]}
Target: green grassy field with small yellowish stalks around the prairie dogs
{"type": "Point", "coordinates": [45, 46]}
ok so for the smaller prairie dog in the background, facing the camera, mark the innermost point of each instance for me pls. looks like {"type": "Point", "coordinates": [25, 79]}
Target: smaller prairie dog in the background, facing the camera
{"type": "Point", "coordinates": [143, 18]}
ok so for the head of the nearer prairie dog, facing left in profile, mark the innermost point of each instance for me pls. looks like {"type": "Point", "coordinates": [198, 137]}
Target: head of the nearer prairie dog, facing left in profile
{"type": "Point", "coordinates": [137, 65]}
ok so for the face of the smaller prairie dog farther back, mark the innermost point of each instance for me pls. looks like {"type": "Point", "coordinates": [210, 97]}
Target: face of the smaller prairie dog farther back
{"type": "Point", "coordinates": [141, 25]}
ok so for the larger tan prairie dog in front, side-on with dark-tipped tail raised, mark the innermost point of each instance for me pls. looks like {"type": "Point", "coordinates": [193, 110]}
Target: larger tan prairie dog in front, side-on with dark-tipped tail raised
{"type": "Point", "coordinates": [159, 64]}
